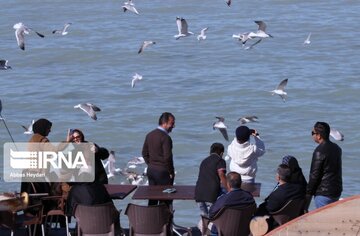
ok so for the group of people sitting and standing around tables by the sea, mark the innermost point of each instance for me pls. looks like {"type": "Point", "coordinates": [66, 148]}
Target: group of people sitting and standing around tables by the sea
{"type": "Point", "coordinates": [215, 188]}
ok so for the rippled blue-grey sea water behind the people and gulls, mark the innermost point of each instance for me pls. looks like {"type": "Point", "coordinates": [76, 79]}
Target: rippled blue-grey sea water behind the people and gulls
{"type": "Point", "coordinates": [196, 81]}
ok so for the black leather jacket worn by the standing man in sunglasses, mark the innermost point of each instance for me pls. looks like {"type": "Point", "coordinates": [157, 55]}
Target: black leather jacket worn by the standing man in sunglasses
{"type": "Point", "coordinates": [326, 173]}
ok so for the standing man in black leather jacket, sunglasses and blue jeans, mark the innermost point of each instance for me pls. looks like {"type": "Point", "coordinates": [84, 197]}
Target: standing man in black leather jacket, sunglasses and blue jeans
{"type": "Point", "coordinates": [325, 180]}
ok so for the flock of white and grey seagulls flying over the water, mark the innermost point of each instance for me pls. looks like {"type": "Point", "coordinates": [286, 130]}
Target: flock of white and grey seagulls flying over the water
{"type": "Point", "coordinates": [182, 26]}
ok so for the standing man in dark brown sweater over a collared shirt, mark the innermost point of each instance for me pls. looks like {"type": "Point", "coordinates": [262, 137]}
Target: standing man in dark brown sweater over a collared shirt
{"type": "Point", "coordinates": [157, 153]}
